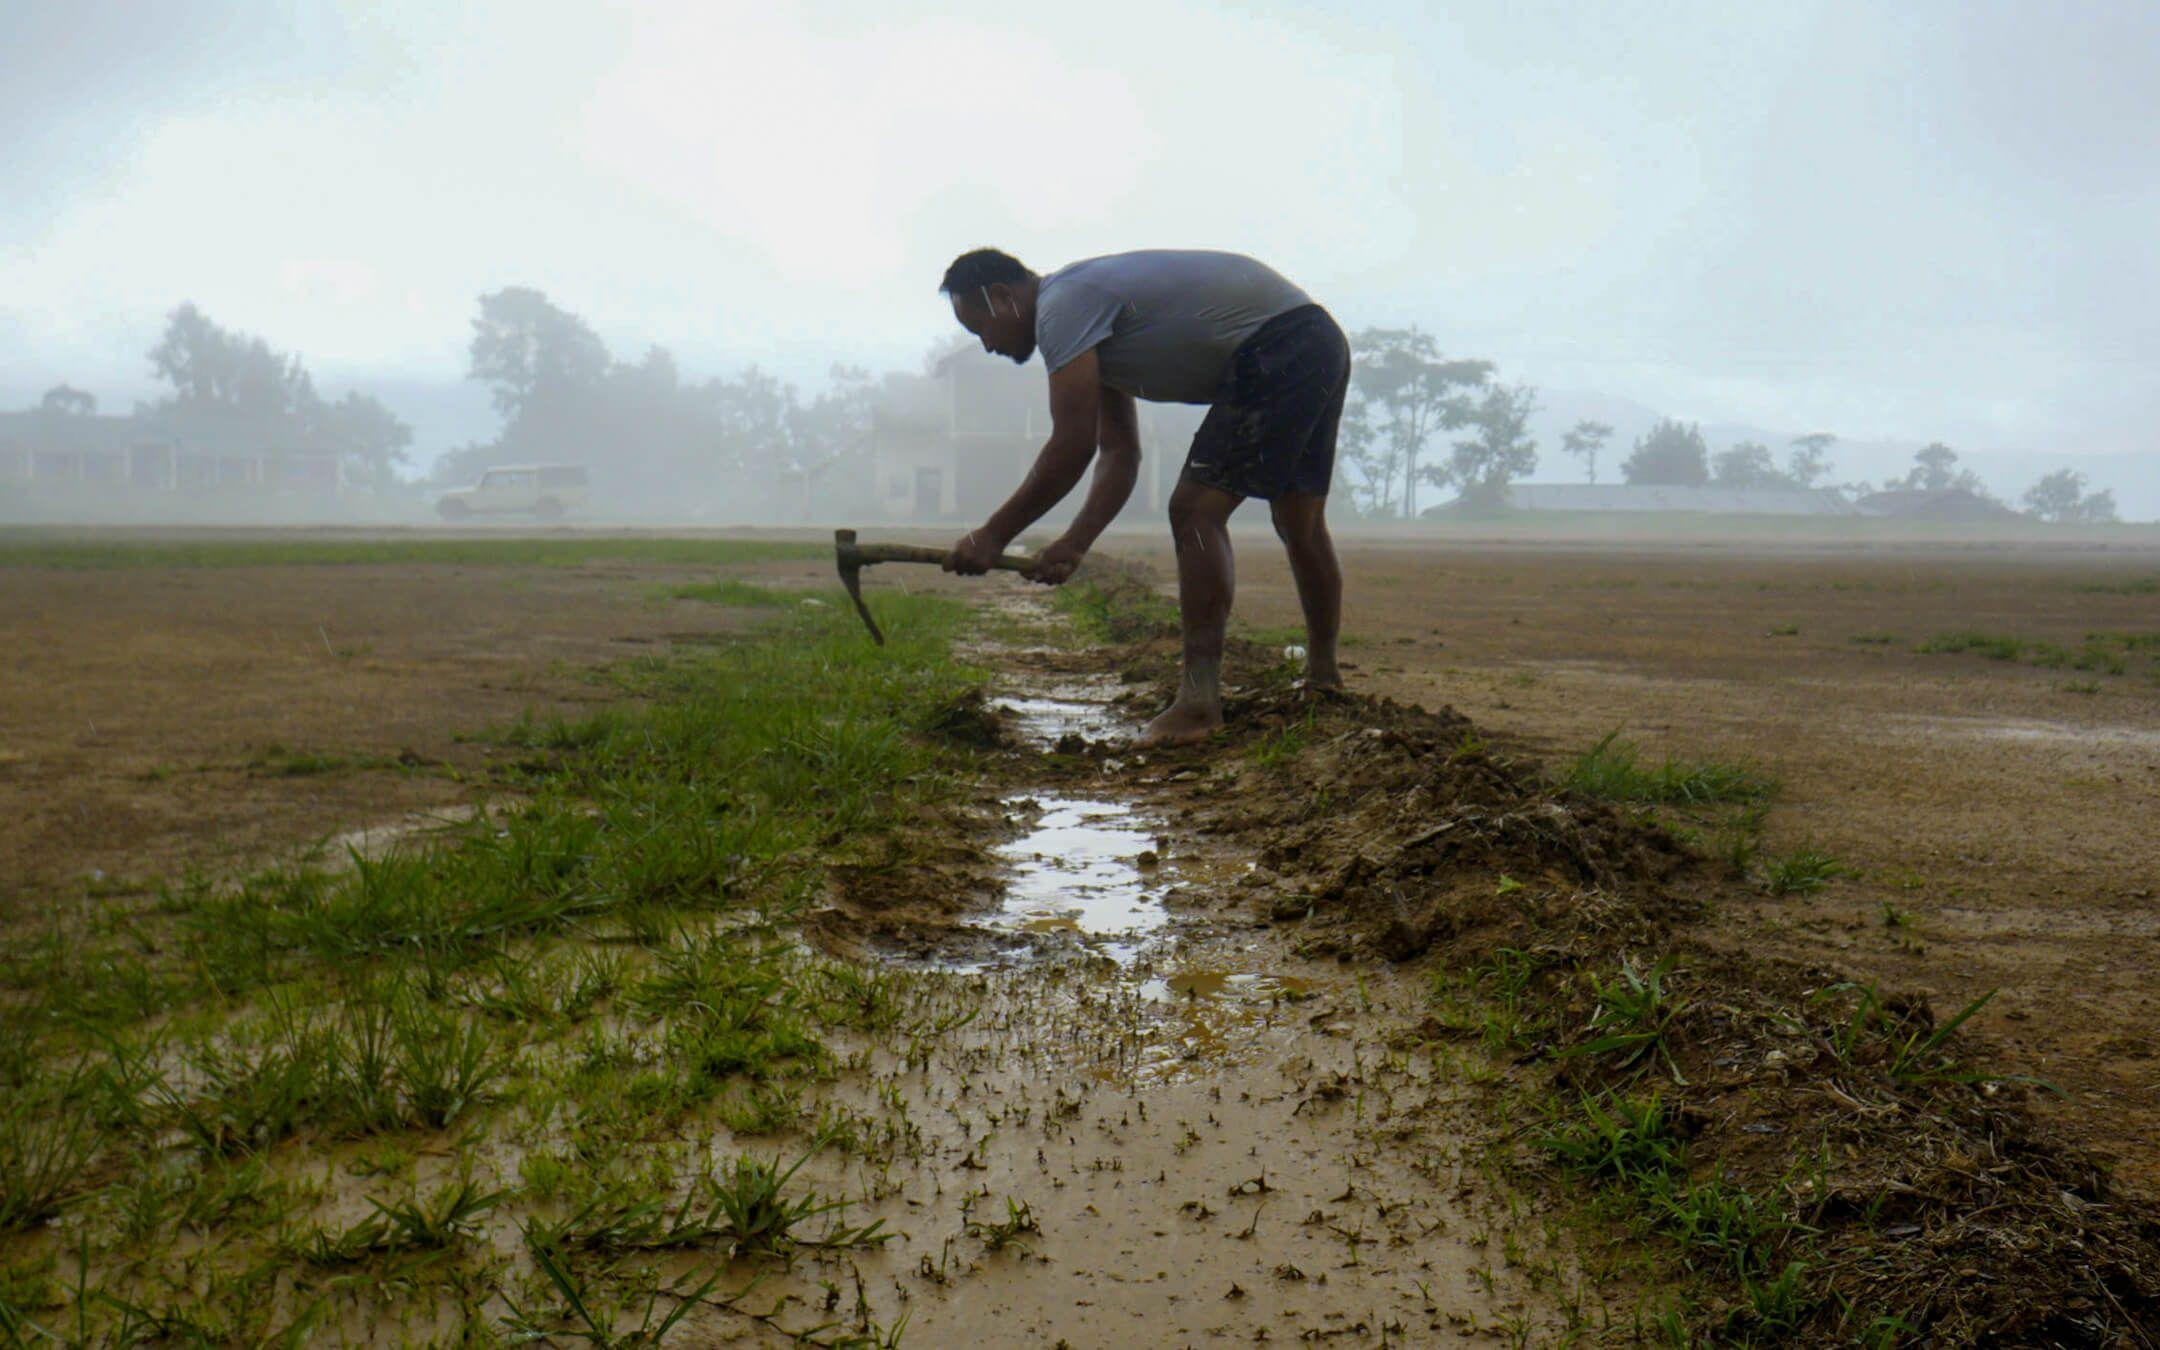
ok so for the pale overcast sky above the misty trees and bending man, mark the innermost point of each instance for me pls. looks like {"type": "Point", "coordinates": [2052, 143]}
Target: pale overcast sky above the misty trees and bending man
{"type": "Point", "coordinates": [1891, 221]}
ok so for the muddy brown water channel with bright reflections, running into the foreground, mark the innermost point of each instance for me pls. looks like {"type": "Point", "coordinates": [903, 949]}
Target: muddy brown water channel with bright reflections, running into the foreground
{"type": "Point", "coordinates": [1198, 1133]}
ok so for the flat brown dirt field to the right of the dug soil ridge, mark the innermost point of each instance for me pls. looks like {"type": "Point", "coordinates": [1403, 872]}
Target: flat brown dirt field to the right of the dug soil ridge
{"type": "Point", "coordinates": [2012, 811]}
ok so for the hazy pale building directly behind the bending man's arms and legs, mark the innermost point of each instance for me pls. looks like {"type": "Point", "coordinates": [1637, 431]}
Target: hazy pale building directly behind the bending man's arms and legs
{"type": "Point", "coordinates": [951, 446]}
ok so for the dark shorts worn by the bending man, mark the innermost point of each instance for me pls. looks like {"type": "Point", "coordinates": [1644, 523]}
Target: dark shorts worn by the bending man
{"type": "Point", "coordinates": [1273, 424]}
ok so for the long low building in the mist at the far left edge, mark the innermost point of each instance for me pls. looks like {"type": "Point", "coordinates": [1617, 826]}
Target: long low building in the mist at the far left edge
{"type": "Point", "coordinates": [133, 457]}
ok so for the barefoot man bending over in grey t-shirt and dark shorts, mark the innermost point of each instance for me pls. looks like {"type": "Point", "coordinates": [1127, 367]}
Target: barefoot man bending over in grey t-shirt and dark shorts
{"type": "Point", "coordinates": [1174, 327]}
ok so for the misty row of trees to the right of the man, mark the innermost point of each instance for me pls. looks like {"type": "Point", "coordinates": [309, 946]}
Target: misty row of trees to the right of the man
{"type": "Point", "coordinates": [1418, 418]}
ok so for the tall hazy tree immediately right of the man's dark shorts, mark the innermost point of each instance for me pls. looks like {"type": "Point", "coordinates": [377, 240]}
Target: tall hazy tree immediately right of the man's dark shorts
{"type": "Point", "coordinates": [1403, 394]}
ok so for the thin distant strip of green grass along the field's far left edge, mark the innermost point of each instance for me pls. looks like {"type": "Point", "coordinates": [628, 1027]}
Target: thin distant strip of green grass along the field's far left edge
{"type": "Point", "coordinates": [83, 554]}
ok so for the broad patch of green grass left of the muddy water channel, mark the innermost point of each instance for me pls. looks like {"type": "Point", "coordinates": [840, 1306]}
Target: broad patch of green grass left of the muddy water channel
{"type": "Point", "coordinates": [563, 988]}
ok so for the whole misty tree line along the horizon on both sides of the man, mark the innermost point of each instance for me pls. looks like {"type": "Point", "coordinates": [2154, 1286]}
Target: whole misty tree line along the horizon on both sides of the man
{"type": "Point", "coordinates": [1414, 420]}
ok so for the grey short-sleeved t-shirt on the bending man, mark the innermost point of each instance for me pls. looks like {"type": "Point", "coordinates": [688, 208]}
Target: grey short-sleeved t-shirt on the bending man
{"type": "Point", "coordinates": [1163, 321]}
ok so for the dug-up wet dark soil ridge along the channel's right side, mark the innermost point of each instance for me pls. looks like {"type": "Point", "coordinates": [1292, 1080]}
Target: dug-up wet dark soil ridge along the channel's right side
{"type": "Point", "coordinates": [1828, 1157]}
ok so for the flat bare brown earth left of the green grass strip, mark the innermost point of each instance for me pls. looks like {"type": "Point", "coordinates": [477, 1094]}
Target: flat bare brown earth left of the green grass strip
{"type": "Point", "coordinates": [157, 720]}
